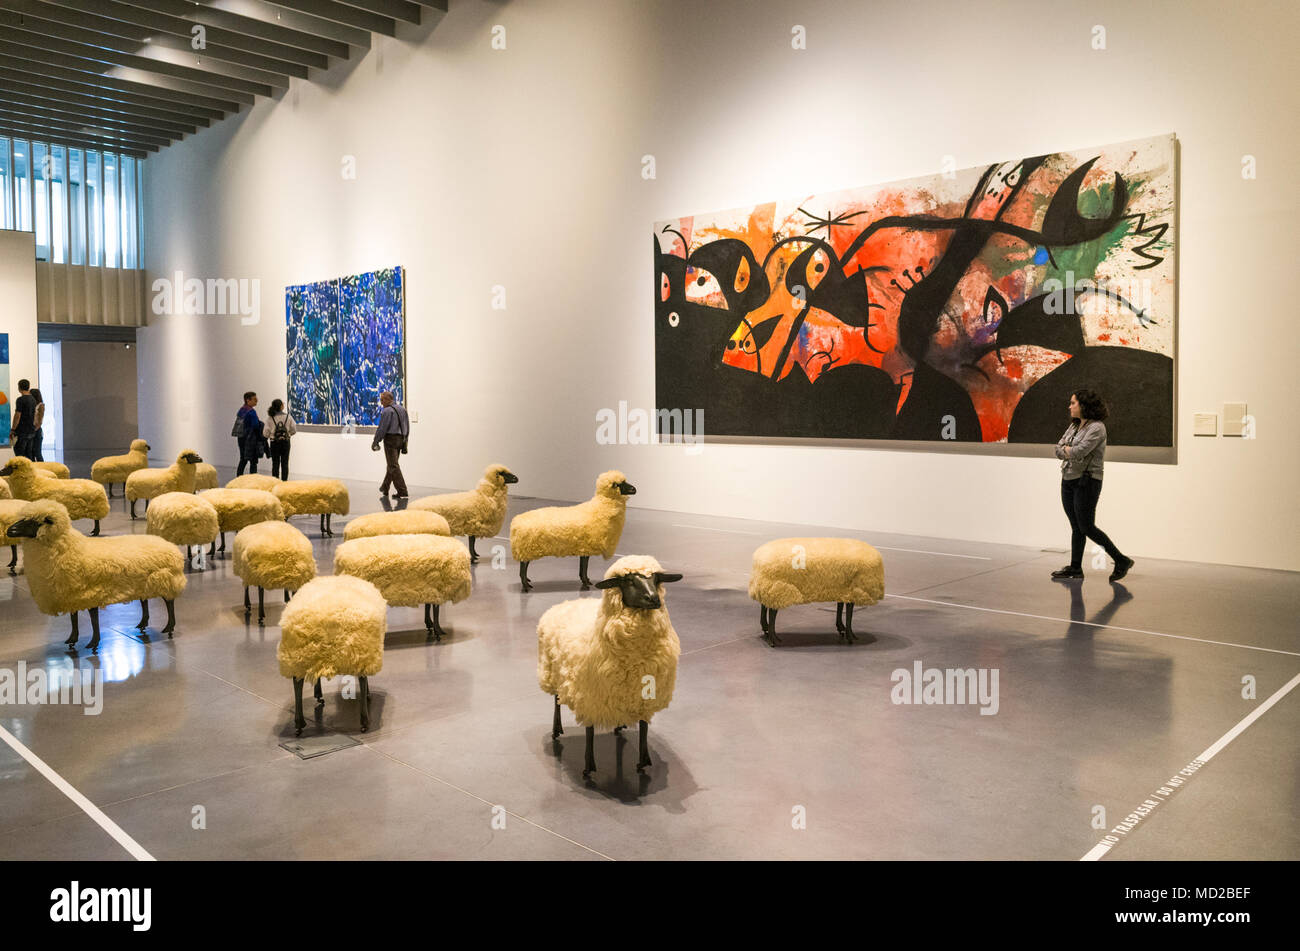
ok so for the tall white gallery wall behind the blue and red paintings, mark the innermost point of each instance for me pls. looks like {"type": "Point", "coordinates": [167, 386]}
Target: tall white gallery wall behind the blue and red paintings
{"type": "Point", "coordinates": [482, 170]}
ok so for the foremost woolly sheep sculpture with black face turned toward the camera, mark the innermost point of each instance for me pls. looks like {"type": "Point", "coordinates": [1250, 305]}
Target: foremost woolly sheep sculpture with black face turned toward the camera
{"type": "Point", "coordinates": [593, 655]}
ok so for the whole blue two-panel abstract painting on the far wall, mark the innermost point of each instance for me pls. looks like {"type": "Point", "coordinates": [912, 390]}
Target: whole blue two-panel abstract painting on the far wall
{"type": "Point", "coordinates": [345, 342]}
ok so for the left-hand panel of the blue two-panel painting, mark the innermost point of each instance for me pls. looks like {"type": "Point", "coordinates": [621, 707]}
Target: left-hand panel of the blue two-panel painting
{"type": "Point", "coordinates": [313, 351]}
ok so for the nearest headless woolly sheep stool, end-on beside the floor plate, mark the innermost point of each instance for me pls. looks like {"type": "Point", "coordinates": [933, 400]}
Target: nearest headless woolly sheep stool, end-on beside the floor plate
{"type": "Point", "coordinates": [335, 627]}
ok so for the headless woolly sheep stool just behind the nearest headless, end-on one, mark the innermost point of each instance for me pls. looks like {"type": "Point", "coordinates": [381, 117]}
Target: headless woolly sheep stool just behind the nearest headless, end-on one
{"type": "Point", "coordinates": [410, 571]}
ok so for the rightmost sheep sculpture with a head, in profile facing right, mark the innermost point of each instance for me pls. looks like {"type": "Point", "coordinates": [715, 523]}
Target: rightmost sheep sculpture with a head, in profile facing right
{"type": "Point", "coordinates": [587, 529]}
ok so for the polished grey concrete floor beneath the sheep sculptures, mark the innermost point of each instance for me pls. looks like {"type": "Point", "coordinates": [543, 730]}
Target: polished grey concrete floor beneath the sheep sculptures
{"type": "Point", "coordinates": [788, 753]}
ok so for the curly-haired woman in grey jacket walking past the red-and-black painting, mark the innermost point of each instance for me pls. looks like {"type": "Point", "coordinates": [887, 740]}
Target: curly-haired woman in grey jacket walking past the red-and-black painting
{"type": "Point", "coordinates": [1082, 450]}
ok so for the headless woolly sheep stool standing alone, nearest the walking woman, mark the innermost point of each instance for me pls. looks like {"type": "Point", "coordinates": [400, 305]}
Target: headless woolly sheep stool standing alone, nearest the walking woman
{"type": "Point", "coordinates": [807, 571]}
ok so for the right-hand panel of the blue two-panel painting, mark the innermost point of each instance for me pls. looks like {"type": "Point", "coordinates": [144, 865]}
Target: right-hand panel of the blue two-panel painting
{"type": "Point", "coordinates": [372, 335]}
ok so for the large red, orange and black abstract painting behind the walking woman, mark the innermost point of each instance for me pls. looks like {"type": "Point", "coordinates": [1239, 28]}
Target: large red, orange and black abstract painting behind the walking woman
{"type": "Point", "coordinates": [964, 306]}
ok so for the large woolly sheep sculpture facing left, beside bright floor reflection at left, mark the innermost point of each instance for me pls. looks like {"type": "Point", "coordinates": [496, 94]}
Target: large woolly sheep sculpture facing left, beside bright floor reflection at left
{"type": "Point", "coordinates": [70, 572]}
